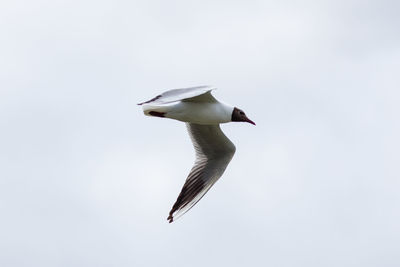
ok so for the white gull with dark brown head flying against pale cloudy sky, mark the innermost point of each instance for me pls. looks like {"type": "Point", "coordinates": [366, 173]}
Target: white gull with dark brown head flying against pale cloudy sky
{"type": "Point", "coordinates": [202, 114]}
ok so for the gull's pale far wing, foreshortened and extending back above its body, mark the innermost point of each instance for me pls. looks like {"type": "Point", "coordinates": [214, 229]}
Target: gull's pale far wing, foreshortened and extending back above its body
{"type": "Point", "coordinates": [198, 94]}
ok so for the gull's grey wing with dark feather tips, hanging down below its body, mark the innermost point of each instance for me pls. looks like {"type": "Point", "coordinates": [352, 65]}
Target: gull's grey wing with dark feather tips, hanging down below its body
{"type": "Point", "coordinates": [214, 151]}
